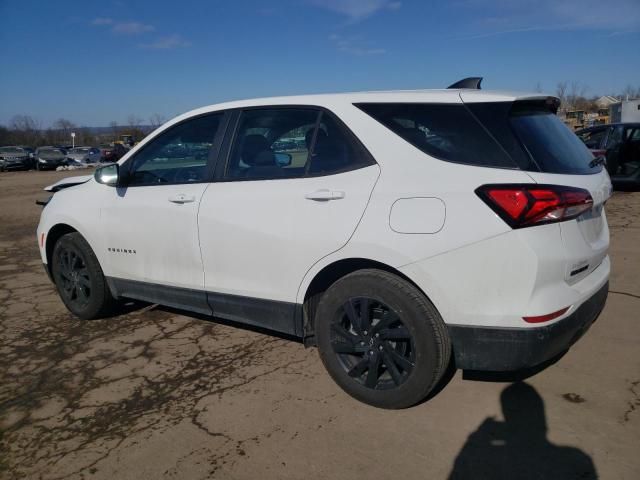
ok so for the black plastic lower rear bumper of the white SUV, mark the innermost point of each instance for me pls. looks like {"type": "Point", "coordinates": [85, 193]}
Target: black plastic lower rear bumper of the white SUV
{"type": "Point", "coordinates": [509, 349]}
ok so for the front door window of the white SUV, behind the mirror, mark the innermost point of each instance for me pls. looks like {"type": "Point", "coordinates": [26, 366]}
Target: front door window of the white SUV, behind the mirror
{"type": "Point", "coordinates": [178, 155]}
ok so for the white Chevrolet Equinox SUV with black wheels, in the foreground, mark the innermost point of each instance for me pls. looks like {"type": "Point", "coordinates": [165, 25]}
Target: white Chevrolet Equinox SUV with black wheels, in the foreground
{"type": "Point", "coordinates": [394, 230]}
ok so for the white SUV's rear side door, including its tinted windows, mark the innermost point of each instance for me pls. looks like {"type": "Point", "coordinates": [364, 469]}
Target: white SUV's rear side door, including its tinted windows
{"type": "Point", "coordinates": [293, 190]}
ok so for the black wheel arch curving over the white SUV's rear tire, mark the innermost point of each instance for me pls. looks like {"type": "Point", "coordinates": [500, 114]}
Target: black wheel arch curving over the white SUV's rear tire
{"type": "Point", "coordinates": [331, 273]}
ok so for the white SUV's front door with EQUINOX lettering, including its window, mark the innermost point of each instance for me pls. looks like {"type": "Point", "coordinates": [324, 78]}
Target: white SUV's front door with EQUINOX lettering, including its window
{"type": "Point", "coordinates": [151, 225]}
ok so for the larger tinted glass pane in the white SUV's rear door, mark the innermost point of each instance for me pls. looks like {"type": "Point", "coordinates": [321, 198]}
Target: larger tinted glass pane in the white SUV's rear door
{"type": "Point", "coordinates": [272, 143]}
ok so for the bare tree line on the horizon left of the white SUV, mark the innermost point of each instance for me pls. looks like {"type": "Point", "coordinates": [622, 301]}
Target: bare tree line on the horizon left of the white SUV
{"type": "Point", "coordinates": [28, 131]}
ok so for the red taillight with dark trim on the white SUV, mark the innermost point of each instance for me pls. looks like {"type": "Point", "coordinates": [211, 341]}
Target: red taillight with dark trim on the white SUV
{"type": "Point", "coordinates": [532, 204]}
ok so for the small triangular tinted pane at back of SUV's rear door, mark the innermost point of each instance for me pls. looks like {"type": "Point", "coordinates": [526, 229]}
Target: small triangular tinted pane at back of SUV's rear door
{"type": "Point", "coordinates": [334, 150]}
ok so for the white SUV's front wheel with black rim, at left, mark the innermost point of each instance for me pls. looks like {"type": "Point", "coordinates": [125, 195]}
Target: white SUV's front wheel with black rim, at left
{"type": "Point", "coordinates": [79, 278]}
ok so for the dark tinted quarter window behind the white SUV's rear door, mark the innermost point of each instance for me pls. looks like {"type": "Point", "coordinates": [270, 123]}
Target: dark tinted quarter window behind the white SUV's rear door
{"type": "Point", "coordinates": [445, 131]}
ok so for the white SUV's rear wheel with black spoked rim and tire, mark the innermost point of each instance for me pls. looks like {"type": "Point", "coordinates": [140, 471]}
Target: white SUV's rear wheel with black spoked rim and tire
{"type": "Point", "coordinates": [381, 339]}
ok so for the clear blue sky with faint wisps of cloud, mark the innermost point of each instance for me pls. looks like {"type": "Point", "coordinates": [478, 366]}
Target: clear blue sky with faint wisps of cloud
{"type": "Point", "coordinates": [96, 62]}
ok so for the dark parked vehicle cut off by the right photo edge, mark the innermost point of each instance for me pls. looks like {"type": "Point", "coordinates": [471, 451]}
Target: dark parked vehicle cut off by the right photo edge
{"type": "Point", "coordinates": [619, 143]}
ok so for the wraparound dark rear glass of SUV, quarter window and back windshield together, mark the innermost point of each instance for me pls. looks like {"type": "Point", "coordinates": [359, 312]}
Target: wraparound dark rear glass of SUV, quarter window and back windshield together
{"type": "Point", "coordinates": [524, 135]}
